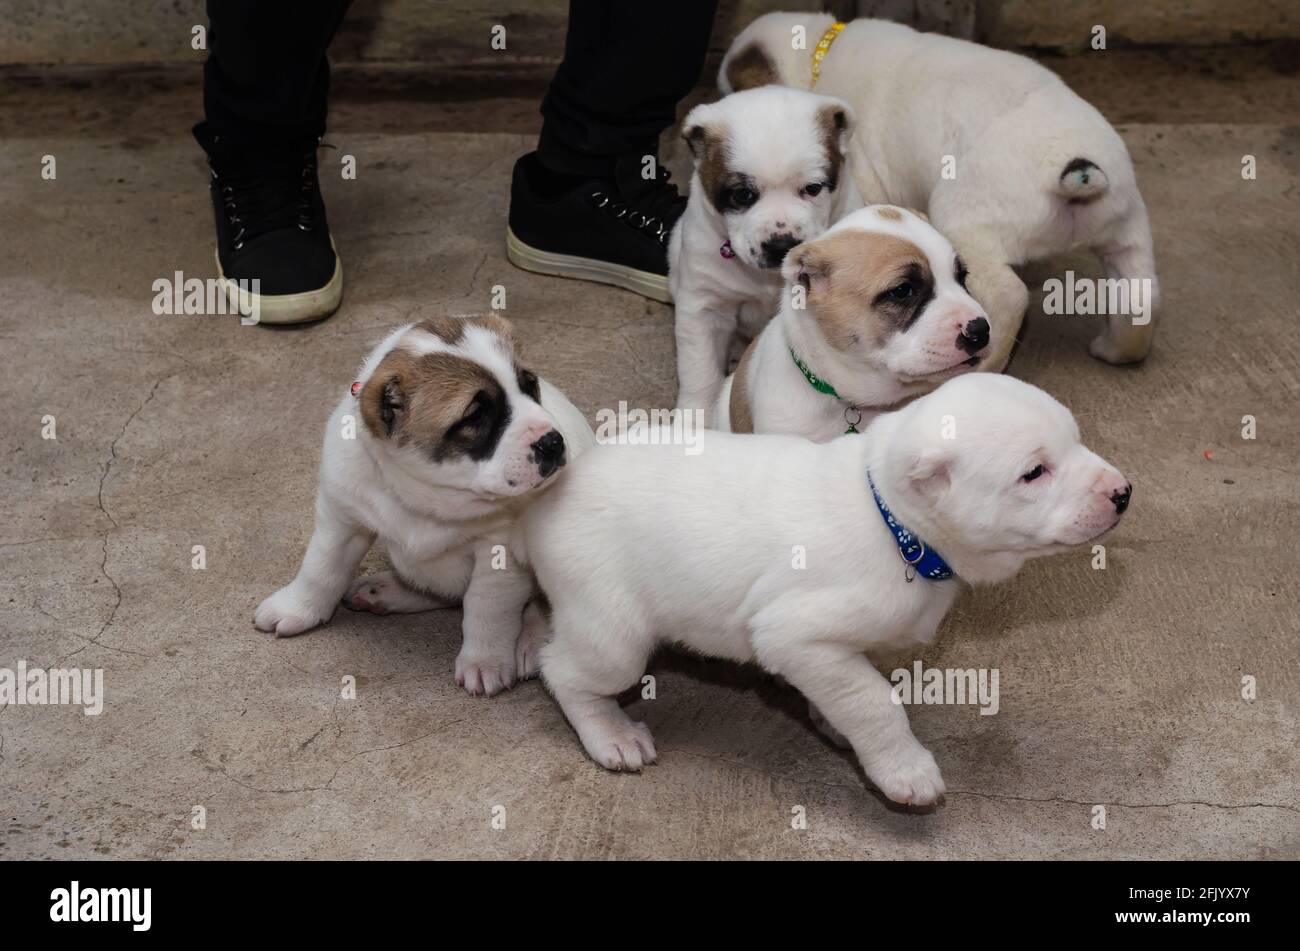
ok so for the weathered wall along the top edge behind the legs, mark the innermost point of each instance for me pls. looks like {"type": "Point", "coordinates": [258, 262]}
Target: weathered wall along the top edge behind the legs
{"type": "Point", "coordinates": [454, 34]}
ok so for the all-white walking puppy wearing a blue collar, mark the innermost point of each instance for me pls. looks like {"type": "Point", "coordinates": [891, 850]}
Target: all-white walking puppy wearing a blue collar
{"type": "Point", "coordinates": [775, 550]}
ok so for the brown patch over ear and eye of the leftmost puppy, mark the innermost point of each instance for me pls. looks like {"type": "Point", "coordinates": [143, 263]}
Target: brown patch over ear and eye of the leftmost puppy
{"type": "Point", "coordinates": [415, 398]}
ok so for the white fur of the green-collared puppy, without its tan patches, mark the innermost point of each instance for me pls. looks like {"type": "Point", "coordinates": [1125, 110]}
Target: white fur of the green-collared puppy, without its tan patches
{"type": "Point", "coordinates": [868, 379]}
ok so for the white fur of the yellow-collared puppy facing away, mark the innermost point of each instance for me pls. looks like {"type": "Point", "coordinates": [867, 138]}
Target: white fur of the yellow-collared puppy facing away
{"type": "Point", "coordinates": [1011, 125]}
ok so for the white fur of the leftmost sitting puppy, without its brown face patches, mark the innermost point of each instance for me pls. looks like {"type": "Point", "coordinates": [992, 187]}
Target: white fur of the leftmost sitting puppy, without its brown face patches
{"type": "Point", "coordinates": [441, 524]}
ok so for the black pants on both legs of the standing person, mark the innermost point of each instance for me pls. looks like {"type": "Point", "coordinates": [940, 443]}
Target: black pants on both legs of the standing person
{"type": "Point", "coordinates": [627, 66]}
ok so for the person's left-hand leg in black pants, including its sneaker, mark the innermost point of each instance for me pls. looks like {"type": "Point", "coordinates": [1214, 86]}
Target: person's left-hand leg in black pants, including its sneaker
{"type": "Point", "coordinates": [266, 88]}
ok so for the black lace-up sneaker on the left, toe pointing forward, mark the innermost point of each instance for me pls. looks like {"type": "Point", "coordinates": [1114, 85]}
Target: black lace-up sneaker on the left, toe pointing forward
{"type": "Point", "coordinates": [271, 228]}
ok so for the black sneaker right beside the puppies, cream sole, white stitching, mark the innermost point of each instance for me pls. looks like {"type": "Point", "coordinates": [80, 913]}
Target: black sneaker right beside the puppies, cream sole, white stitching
{"type": "Point", "coordinates": [609, 231]}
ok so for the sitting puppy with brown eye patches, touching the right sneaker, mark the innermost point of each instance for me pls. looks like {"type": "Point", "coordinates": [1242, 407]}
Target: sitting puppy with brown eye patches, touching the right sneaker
{"type": "Point", "coordinates": [769, 176]}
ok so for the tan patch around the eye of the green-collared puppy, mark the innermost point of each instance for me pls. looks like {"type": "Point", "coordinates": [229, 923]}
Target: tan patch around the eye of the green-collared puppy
{"type": "Point", "coordinates": [847, 273]}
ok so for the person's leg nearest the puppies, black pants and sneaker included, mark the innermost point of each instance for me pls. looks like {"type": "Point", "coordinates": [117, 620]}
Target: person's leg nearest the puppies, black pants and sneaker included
{"type": "Point", "coordinates": [592, 202]}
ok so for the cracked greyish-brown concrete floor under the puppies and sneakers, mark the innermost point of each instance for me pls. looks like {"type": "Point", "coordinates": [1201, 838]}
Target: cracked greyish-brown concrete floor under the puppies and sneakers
{"type": "Point", "coordinates": [1119, 688]}
